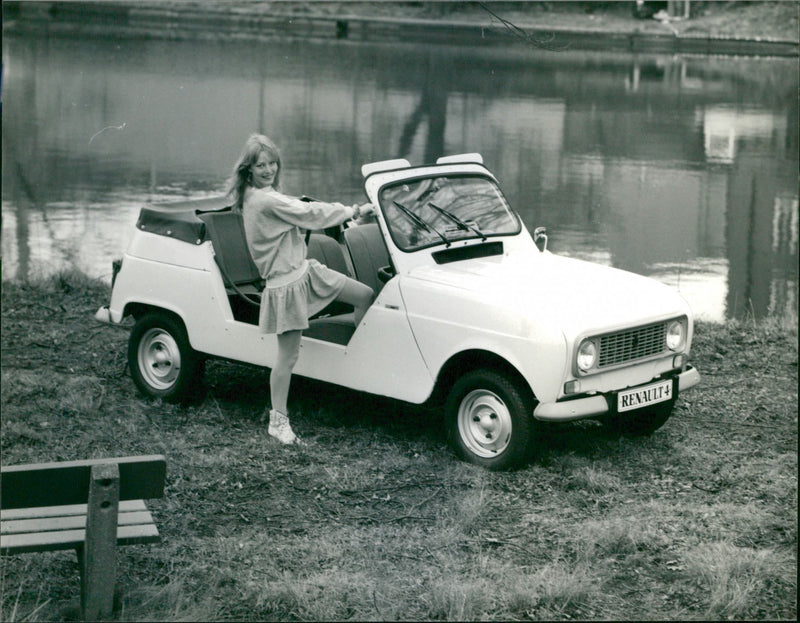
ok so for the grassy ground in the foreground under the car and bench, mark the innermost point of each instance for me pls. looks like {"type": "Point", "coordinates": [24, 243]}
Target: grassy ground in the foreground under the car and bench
{"type": "Point", "coordinates": [374, 518]}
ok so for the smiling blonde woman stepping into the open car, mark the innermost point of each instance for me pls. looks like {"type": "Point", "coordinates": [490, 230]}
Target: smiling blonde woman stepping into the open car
{"type": "Point", "coordinates": [296, 287]}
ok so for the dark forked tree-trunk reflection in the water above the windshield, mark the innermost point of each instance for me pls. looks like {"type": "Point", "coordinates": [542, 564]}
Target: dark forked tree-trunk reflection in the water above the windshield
{"type": "Point", "coordinates": [433, 106]}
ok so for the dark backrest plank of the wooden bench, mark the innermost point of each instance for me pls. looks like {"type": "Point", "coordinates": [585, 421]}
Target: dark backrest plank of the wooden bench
{"type": "Point", "coordinates": [57, 484]}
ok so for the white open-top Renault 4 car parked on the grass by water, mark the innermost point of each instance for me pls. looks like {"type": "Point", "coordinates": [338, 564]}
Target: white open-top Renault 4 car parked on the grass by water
{"type": "Point", "coordinates": [471, 312]}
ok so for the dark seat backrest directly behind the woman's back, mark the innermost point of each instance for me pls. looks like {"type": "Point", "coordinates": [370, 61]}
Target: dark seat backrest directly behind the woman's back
{"type": "Point", "coordinates": [226, 232]}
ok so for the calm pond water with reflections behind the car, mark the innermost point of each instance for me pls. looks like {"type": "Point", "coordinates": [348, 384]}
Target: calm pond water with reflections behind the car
{"type": "Point", "coordinates": [684, 169]}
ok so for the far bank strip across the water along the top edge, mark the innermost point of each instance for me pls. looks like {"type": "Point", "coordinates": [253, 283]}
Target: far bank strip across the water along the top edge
{"type": "Point", "coordinates": [714, 27]}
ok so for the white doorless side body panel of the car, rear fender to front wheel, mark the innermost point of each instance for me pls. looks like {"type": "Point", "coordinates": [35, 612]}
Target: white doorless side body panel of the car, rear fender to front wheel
{"type": "Point", "coordinates": [382, 357]}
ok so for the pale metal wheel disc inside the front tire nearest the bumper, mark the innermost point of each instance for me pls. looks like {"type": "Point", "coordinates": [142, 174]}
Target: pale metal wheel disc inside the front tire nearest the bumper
{"type": "Point", "coordinates": [484, 423]}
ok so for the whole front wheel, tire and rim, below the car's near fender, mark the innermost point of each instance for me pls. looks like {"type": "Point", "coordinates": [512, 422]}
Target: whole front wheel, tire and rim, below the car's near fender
{"type": "Point", "coordinates": [489, 420]}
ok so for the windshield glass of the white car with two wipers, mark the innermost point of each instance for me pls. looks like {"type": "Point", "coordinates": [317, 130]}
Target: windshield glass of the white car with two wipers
{"type": "Point", "coordinates": [440, 210]}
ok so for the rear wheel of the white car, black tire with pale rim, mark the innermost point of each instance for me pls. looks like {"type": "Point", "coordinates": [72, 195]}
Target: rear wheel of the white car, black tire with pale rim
{"type": "Point", "coordinates": [162, 362]}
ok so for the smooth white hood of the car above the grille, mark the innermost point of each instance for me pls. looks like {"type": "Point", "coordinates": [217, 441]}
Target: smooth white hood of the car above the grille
{"type": "Point", "coordinates": [580, 297]}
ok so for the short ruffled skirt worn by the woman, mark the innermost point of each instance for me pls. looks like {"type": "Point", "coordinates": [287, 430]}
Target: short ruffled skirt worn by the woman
{"type": "Point", "coordinates": [288, 307]}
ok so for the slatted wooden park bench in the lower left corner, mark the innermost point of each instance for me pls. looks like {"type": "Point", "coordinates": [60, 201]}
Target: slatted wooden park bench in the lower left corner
{"type": "Point", "coordinates": [89, 506]}
